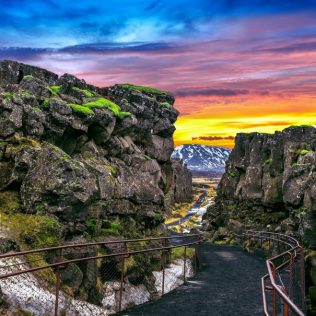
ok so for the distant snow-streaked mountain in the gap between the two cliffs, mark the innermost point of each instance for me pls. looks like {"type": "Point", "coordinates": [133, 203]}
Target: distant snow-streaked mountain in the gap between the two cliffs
{"type": "Point", "coordinates": [203, 158]}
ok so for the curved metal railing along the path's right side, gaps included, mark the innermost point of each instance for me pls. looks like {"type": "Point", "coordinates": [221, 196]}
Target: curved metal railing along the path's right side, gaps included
{"type": "Point", "coordinates": [285, 280]}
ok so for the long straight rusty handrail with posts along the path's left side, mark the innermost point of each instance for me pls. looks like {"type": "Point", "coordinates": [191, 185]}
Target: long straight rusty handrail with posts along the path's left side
{"type": "Point", "coordinates": [197, 240]}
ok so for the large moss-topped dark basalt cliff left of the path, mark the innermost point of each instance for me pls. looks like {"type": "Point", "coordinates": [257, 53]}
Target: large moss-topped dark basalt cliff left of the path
{"type": "Point", "coordinates": [81, 162]}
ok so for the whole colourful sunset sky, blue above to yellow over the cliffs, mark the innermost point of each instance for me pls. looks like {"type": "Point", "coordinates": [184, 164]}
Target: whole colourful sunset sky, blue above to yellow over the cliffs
{"type": "Point", "coordinates": [233, 65]}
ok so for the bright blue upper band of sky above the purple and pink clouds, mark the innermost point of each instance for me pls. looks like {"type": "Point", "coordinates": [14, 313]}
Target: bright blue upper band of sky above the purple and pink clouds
{"type": "Point", "coordinates": [55, 24]}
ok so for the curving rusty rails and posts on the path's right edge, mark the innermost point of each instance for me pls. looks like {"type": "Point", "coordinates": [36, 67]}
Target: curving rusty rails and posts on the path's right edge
{"type": "Point", "coordinates": [293, 252]}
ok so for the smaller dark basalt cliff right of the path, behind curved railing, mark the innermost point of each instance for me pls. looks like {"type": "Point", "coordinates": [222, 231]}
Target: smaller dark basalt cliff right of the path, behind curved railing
{"type": "Point", "coordinates": [270, 184]}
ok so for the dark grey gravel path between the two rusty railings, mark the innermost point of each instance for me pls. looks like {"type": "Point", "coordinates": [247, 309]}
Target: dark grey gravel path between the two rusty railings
{"type": "Point", "coordinates": [228, 285]}
